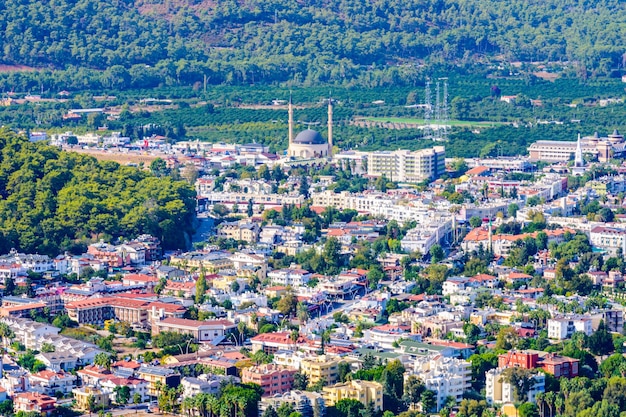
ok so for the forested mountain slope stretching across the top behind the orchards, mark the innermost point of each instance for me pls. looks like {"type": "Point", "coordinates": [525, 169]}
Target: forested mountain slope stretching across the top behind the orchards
{"type": "Point", "coordinates": [315, 40]}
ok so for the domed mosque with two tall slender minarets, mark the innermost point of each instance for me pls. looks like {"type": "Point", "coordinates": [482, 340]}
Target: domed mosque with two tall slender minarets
{"type": "Point", "coordinates": [309, 144]}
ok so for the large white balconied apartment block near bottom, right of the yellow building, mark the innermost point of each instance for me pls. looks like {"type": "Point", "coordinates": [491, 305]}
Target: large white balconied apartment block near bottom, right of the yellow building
{"type": "Point", "coordinates": [447, 377]}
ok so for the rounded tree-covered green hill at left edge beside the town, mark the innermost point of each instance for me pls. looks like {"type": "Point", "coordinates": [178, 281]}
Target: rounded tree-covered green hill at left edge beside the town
{"type": "Point", "coordinates": [50, 200]}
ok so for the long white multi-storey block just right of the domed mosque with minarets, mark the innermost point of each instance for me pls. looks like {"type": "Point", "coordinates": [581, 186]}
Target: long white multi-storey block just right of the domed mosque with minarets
{"type": "Point", "coordinates": [404, 165]}
